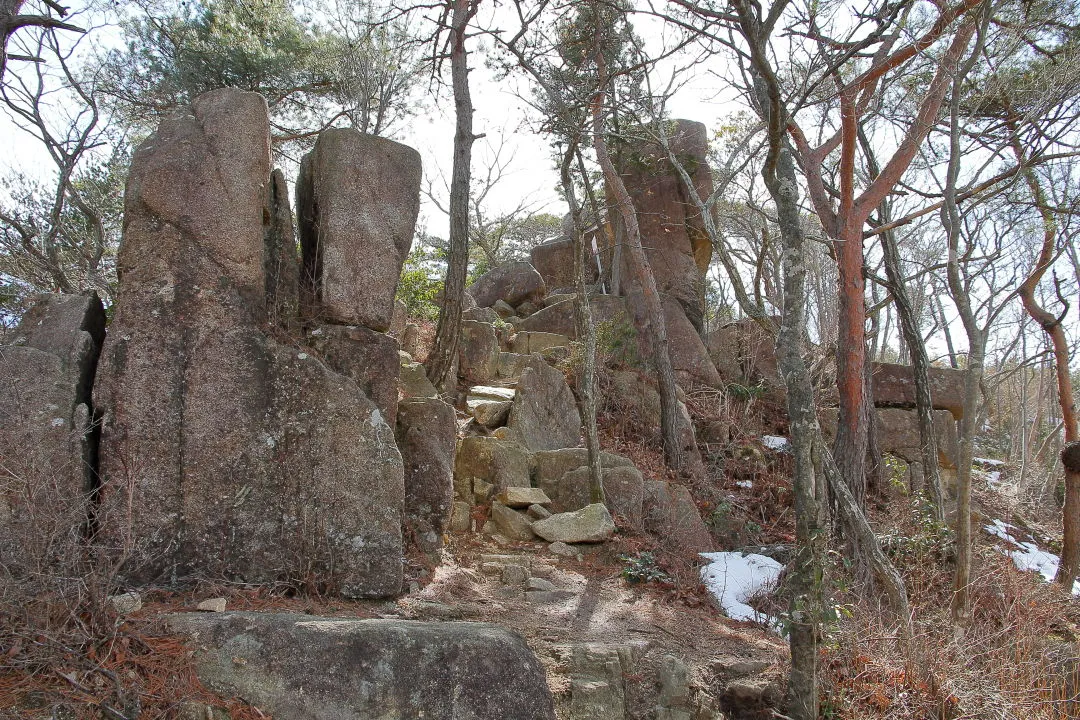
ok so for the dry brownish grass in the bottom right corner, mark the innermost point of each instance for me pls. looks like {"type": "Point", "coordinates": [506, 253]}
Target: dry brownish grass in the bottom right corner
{"type": "Point", "coordinates": [1019, 657]}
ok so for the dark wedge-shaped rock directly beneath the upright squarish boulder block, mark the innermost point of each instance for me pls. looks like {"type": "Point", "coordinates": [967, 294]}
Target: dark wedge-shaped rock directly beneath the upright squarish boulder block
{"type": "Point", "coordinates": [370, 359]}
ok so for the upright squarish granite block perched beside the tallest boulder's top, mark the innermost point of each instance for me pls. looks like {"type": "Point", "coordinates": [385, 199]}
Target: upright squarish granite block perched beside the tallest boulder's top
{"type": "Point", "coordinates": [357, 200]}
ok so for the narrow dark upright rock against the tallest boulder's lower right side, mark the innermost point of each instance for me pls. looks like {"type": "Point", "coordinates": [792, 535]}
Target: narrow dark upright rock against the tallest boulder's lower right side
{"type": "Point", "coordinates": [427, 436]}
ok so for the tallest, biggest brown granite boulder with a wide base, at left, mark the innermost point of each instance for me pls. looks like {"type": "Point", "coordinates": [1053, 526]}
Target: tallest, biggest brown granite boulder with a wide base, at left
{"type": "Point", "coordinates": [225, 454]}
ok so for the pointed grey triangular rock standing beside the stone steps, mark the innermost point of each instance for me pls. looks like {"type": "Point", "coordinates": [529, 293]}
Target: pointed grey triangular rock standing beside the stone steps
{"type": "Point", "coordinates": [545, 412]}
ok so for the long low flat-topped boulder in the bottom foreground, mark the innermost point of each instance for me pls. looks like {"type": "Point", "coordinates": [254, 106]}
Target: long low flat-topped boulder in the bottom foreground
{"type": "Point", "coordinates": [304, 667]}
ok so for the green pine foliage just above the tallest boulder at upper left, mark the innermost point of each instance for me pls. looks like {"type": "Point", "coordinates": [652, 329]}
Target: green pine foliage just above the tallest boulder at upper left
{"type": "Point", "coordinates": [359, 70]}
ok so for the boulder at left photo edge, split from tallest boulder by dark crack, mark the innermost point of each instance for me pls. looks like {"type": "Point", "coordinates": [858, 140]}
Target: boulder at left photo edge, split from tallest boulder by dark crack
{"type": "Point", "coordinates": [47, 445]}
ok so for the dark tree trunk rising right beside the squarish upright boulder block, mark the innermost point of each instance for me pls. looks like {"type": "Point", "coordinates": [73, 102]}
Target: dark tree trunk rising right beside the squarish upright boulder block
{"type": "Point", "coordinates": [442, 363]}
